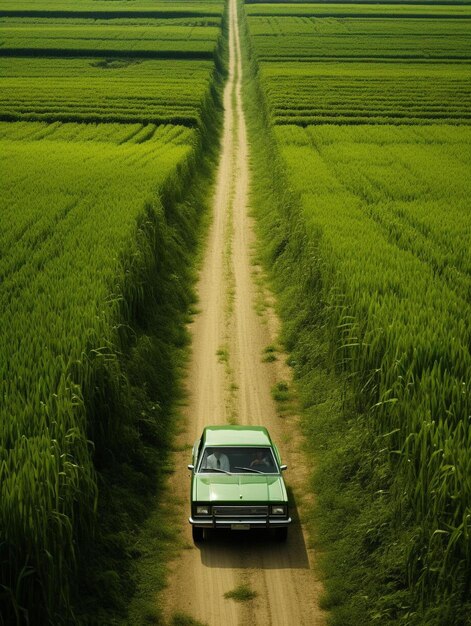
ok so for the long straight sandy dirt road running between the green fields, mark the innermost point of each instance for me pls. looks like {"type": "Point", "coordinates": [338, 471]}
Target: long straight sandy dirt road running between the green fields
{"type": "Point", "coordinates": [228, 382]}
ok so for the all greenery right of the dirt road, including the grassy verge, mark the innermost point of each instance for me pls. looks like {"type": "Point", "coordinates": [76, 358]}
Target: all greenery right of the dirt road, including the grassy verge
{"type": "Point", "coordinates": [368, 232]}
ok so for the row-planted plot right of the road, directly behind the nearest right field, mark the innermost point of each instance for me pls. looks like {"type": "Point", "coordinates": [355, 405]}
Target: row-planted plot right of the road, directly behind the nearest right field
{"type": "Point", "coordinates": [366, 93]}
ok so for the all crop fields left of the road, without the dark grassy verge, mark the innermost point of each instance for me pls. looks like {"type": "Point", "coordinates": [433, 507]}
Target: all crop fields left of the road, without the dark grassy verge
{"type": "Point", "coordinates": [84, 234]}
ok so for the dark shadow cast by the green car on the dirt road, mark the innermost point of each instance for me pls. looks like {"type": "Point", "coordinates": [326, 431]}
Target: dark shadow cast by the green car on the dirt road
{"type": "Point", "coordinates": [255, 548]}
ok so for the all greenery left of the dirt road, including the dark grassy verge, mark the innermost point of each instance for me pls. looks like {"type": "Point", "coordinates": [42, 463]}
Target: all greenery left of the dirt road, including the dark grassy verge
{"type": "Point", "coordinates": [97, 237]}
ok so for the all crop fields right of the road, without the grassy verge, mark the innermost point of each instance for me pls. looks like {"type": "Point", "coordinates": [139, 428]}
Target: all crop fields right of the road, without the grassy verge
{"type": "Point", "coordinates": [374, 134]}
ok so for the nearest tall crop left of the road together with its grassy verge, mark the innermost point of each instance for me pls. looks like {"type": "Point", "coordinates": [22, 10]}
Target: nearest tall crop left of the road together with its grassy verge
{"type": "Point", "coordinates": [94, 290]}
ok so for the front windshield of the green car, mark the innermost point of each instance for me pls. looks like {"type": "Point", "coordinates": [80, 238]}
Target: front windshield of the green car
{"type": "Point", "coordinates": [238, 460]}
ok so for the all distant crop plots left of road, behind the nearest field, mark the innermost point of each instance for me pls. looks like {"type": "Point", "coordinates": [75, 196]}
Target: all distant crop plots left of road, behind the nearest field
{"type": "Point", "coordinates": [109, 70]}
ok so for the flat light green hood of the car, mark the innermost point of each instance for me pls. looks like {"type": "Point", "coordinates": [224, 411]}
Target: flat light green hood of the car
{"type": "Point", "coordinates": [239, 488]}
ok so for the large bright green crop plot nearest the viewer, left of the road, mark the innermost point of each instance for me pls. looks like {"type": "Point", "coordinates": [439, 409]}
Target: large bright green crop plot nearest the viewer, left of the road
{"type": "Point", "coordinates": [72, 198]}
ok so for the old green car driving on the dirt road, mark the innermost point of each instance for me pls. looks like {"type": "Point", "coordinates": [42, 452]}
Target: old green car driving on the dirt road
{"type": "Point", "coordinates": [236, 482]}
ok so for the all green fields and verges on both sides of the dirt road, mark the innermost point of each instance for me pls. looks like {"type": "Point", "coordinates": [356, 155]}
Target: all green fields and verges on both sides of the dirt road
{"type": "Point", "coordinates": [110, 114]}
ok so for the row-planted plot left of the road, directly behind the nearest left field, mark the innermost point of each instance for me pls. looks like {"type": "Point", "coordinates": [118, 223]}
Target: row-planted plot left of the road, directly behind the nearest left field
{"type": "Point", "coordinates": [106, 90]}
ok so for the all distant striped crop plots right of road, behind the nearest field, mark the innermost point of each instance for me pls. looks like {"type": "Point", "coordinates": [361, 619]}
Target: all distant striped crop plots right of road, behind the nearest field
{"type": "Point", "coordinates": [318, 70]}
